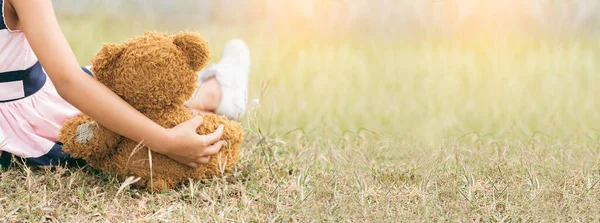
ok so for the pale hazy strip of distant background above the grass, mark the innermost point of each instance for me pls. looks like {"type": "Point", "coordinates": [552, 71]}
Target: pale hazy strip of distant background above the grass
{"type": "Point", "coordinates": [400, 17]}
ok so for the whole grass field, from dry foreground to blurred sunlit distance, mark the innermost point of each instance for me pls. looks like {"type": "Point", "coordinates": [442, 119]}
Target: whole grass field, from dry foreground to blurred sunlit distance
{"type": "Point", "coordinates": [369, 129]}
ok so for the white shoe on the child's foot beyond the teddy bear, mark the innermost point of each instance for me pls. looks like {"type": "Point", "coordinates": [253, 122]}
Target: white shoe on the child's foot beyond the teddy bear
{"type": "Point", "coordinates": [232, 74]}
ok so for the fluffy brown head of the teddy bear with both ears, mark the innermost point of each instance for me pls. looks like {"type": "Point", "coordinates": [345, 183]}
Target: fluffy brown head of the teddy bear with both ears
{"type": "Point", "coordinates": [154, 70]}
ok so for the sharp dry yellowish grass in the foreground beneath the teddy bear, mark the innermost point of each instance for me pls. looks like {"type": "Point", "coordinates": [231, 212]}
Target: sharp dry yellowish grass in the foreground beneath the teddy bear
{"type": "Point", "coordinates": [322, 180]}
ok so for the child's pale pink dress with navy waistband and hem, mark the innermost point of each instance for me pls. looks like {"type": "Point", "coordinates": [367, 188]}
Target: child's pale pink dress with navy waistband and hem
{"type": "Point", "coordinates": [31, 111]}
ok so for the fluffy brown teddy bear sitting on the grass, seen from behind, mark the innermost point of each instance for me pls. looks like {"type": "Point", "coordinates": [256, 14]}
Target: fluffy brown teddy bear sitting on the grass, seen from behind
{"type": "Point", "coordinates": [156, 74]}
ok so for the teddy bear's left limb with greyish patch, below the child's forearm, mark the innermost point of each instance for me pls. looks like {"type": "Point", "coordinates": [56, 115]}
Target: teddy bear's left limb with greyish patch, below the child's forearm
{"type": "Point", "coordinates": [84, 138]}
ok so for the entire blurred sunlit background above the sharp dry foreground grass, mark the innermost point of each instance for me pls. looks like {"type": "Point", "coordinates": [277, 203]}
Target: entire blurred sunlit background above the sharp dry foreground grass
{"type": "Point", "coordinates": [422, 70]}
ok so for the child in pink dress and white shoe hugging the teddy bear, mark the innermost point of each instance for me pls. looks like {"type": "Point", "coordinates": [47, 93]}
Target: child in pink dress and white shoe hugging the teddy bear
{"type": "Point", "coordinates": [35, 101]}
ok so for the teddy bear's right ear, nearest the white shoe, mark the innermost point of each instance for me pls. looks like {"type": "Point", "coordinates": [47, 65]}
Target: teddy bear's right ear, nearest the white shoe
{"type": "Point", "coordinates": [194, 47]}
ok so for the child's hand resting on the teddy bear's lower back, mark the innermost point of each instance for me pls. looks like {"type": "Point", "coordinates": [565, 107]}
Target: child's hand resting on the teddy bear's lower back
{"type": "Point", "coordinates": [184, 145]}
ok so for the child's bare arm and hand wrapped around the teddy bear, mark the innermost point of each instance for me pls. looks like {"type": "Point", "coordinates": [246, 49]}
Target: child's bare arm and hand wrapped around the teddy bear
{"type": "Point", "coordinates": [37, 19]}
